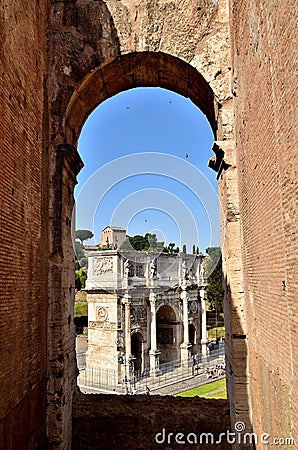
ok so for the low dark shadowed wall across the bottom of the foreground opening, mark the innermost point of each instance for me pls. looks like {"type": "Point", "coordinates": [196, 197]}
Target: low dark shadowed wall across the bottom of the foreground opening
{"type": "Point", "coordinates": [106, 421]}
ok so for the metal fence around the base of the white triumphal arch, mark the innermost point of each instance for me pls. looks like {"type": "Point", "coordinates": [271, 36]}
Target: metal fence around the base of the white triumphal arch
{"type": "Point", "coordinates": [168, 373]}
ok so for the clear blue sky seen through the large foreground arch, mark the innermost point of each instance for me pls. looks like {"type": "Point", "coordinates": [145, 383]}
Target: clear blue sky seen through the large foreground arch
{"type": "Point", "coordinates": [146, 154]}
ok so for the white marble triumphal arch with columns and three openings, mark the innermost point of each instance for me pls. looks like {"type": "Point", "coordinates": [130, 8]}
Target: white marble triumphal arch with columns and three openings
{"type": "Point", "coordinates": [144, 309]}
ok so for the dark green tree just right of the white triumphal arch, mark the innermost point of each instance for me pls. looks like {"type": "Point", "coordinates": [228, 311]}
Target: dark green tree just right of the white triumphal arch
{"type": "Point", "coordinates": [215, 293]}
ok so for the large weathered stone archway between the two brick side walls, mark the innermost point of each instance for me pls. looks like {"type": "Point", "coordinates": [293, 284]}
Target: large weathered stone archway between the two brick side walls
{"type": "Point", "coordinates": [90, 63]}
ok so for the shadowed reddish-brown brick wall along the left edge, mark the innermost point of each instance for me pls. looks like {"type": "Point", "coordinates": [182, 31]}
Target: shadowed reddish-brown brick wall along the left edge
{"type": "Point", "coordinates": [23, 224]}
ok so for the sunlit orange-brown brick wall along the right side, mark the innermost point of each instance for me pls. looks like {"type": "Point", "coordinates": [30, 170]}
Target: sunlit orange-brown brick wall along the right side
{"type": "Point", "coordinates": [264, 54]}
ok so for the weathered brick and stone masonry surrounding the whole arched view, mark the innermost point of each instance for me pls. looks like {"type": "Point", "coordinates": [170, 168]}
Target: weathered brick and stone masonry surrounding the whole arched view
{"type": "Point", "coordinates": [59, 60]}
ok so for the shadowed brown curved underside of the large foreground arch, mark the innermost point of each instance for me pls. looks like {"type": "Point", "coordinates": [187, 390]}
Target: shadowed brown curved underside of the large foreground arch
{"type": "Point", "coordinates": [139, 70]}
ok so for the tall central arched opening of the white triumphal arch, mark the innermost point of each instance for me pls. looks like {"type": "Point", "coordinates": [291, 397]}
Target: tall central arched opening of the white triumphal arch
{"type": "Point", "coordinates": [167, 334]}
